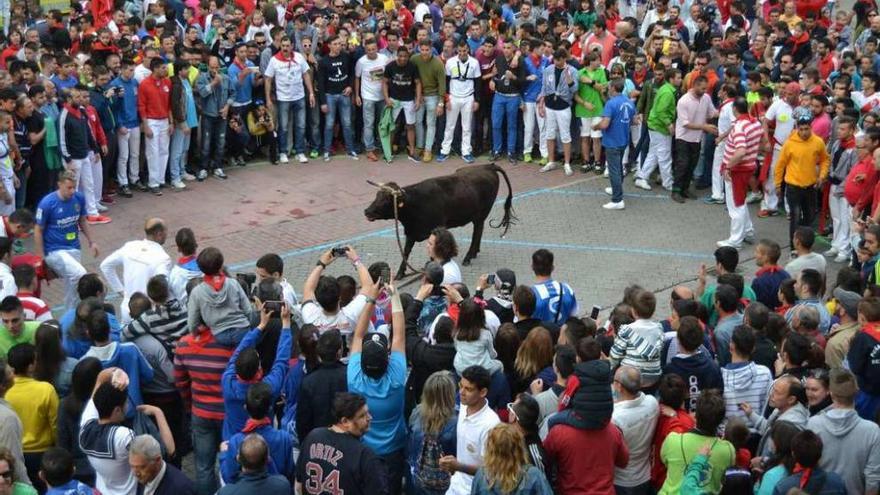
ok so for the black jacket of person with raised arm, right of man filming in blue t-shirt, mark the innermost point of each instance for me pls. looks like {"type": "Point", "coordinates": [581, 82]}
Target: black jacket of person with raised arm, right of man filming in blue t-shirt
{"type": "Point", "coordinates": [425, 358]}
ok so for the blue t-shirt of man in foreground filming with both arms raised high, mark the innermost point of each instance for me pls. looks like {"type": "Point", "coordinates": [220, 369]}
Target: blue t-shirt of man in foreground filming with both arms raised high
{"type": "Point", "coordinates": [387, 433]}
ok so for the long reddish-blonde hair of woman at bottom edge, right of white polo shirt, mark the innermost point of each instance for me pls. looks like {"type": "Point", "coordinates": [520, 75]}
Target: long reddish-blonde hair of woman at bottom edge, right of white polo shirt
{"type": "Point", "coordinates": [505, 459]}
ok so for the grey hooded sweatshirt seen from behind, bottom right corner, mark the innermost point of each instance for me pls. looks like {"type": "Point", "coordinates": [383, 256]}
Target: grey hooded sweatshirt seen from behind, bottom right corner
{"type": "Point", "coordinates": [850, 448]}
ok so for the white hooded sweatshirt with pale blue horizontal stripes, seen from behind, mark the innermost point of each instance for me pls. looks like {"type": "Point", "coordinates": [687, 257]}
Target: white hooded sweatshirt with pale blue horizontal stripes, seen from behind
{"type": "Point", "coordinates": [745, 382]}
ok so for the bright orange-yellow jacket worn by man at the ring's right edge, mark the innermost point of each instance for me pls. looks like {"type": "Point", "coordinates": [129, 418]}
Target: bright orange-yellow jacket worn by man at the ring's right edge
{"type": "Point", "coordinates": [802, 163]}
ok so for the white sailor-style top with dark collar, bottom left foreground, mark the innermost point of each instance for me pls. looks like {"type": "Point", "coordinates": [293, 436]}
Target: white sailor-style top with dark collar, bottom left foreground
{"type": "Point", "coordinates": [113, 474]}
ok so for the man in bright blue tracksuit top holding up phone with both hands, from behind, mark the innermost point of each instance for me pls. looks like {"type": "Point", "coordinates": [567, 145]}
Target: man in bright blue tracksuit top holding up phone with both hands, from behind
{"type": "Point", "coordinates": [244, 370]}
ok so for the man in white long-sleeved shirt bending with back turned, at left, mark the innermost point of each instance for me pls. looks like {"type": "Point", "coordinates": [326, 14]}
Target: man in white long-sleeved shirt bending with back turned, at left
{"type": "Point", "coordinates": [140, 261]}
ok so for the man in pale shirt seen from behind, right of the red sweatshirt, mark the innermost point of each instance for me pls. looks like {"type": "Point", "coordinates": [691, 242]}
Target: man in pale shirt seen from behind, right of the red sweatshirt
{"type": "Point", "coordinates": [635, 413]}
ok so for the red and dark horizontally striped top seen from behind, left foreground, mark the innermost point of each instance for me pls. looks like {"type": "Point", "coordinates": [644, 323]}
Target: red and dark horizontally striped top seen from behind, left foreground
{"type": "Point", "coordinates": [199, 362]}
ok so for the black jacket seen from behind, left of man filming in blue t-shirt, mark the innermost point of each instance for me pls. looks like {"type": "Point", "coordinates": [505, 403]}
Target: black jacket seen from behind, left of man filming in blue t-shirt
{"type": "Point", "coordinates": [314, 406]}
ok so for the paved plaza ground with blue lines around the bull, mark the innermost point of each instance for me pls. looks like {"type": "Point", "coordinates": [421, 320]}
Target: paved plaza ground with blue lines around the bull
{"type": "Point", "coordinates": [300, 210]}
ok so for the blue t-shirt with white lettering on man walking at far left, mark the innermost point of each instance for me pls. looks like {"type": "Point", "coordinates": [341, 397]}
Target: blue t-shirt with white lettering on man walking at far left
{"type": "Point", "coordinates": [59, 220]}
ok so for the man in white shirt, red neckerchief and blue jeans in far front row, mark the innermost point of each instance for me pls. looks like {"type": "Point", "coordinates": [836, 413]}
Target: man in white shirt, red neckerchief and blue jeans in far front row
{"type": "Point", "coordinates": [290, 72]}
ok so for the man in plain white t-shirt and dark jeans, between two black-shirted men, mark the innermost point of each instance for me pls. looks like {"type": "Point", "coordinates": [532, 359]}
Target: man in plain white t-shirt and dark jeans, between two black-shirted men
{"type": "Point", "coordinates": [369, 72]}
